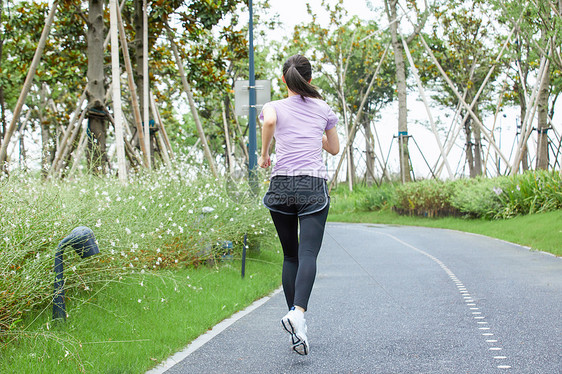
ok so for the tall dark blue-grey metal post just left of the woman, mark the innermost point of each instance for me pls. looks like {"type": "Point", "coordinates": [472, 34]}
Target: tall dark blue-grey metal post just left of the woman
{"type": "Point", "coordinates": [252, 162]}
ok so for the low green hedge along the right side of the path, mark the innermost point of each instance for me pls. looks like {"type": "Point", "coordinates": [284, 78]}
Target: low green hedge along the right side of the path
{"type": "Point", "coordinates": [489, 198]}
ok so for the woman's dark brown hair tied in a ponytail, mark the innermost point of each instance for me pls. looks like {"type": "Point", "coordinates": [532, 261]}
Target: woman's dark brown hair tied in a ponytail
{"type": "Point", "coordinates": [298, 72]}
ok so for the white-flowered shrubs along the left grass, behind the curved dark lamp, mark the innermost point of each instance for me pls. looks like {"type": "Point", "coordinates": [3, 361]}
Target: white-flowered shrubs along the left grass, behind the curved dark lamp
{"type": "Point", "coordinates": [166, 218]}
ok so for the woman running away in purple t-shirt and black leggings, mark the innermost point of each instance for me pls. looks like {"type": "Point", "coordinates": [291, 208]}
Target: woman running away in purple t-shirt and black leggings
{"type": "Point", "coordinates": [302, 124]}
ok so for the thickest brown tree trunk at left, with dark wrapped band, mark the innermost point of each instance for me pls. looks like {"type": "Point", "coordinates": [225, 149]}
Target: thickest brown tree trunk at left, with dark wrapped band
{"type": "Point", "coordinates": [97, 153]}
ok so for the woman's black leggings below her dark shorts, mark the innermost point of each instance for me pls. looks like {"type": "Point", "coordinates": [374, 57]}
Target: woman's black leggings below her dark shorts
{"type": "Point", "coordinates": [299, 265]}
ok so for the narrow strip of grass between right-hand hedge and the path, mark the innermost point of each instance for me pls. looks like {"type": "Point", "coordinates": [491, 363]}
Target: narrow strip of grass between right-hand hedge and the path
{"type": "Point", "coordinates": [541, 231]}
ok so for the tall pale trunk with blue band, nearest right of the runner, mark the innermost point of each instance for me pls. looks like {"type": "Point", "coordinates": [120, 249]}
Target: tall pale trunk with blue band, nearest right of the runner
{"type": "Point", "coordinates": [401, 90]}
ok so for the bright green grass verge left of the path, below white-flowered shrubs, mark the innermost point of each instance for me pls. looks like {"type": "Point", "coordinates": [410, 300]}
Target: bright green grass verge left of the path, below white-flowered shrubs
{"type": "Point", "coordinates": [136, 322]}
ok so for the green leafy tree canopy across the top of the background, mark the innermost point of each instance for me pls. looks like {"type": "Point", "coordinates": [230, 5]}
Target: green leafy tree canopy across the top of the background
{"type": "Point", "coordinates": [474, 57]}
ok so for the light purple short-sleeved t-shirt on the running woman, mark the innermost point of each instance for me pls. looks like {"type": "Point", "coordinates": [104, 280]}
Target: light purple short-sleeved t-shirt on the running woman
{"type": "Point", "coordinates": [298, 135]}
